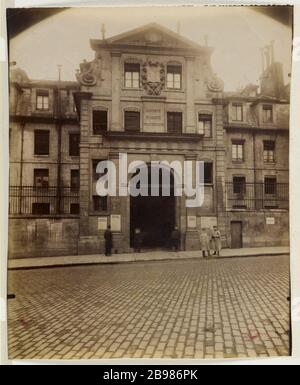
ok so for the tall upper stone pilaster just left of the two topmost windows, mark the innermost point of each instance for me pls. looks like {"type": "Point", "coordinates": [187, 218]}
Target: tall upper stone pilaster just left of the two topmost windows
{"type": "Point", "coordinates": [116, 120]}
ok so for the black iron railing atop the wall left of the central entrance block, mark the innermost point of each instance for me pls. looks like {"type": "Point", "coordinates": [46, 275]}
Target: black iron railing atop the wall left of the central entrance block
{"type": "Point", "coordinates": [34, 200]}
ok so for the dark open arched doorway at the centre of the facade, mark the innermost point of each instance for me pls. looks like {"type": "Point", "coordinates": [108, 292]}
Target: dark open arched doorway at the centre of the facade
{"type": "Point", "coordinates": [155, 216]}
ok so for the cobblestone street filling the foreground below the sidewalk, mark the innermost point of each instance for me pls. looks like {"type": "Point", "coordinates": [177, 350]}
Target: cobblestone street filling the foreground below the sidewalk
{"type": "Point", "coordinates": [223, 308]}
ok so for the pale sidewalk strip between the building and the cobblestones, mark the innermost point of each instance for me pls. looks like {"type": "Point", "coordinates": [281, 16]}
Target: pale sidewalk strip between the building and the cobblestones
{"type": "Point", "coordinates": [148, 256]}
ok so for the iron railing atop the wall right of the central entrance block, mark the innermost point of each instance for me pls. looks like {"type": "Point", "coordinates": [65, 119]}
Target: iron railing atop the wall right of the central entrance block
{"type": "Point", "coordinates": [257, 196]}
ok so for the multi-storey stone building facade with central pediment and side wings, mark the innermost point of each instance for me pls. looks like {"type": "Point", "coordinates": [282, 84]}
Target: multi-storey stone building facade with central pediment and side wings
{"type": "Point", "coordinates": [153, 95]}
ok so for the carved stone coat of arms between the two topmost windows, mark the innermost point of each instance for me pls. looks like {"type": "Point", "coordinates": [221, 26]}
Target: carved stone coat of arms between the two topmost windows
{"type": "Point", "coordinates": [153, 77]}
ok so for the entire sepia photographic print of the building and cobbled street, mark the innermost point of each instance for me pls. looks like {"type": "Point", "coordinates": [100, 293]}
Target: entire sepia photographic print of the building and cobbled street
{"type": "Point", "coordinates": [149, 183]}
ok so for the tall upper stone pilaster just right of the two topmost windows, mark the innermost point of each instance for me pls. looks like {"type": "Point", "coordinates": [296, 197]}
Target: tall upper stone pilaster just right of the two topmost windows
{"type": "Point", "coordinates": [190, 98]}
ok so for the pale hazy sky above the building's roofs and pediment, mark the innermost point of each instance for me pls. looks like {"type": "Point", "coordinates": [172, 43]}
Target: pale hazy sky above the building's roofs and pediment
{"type": "Point", "coordinates": [236, 33]}
